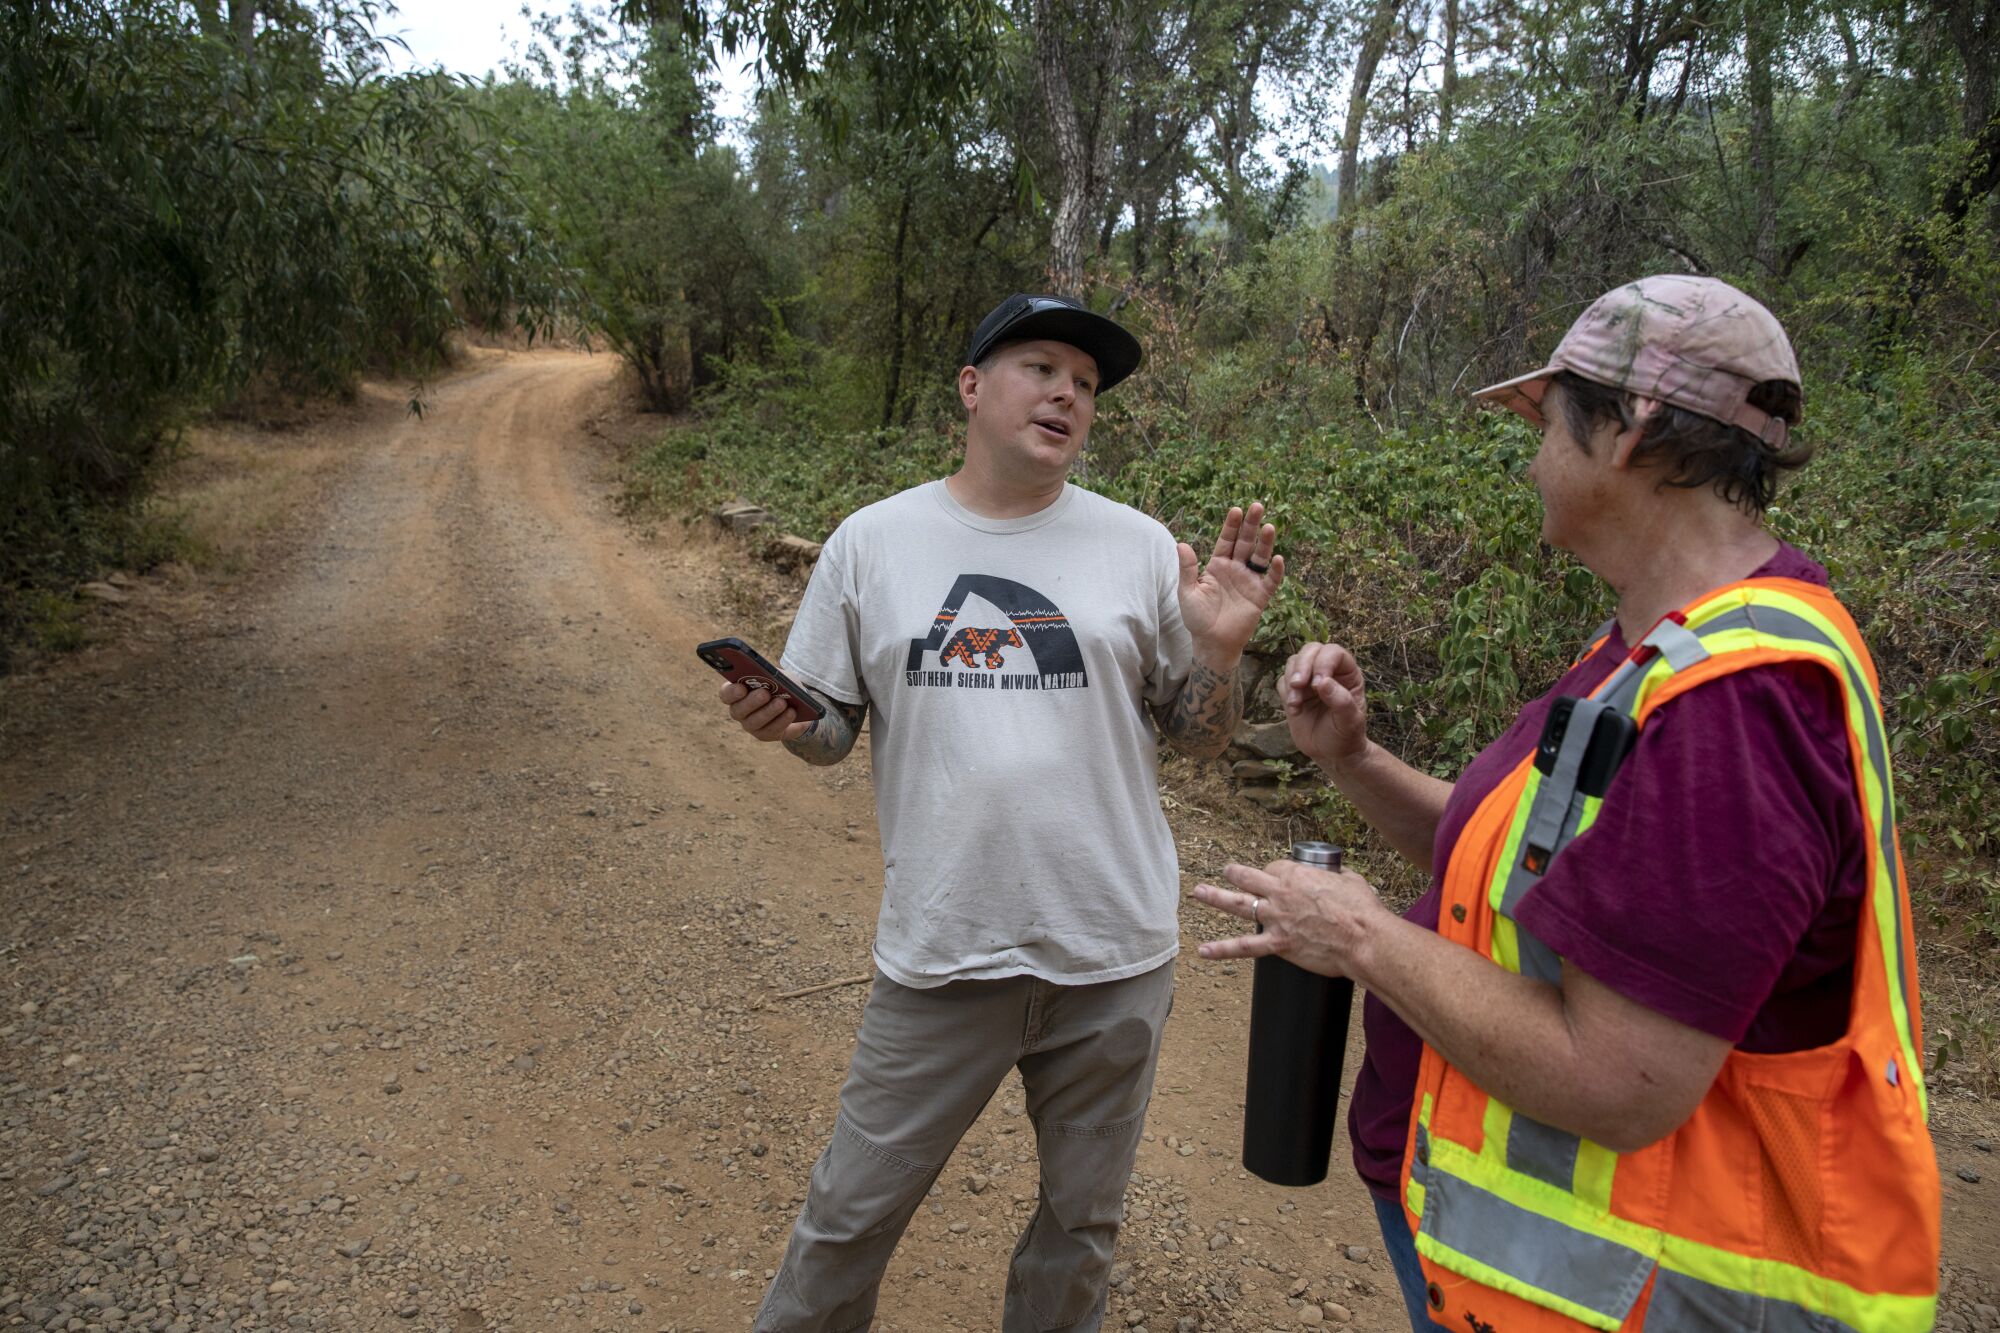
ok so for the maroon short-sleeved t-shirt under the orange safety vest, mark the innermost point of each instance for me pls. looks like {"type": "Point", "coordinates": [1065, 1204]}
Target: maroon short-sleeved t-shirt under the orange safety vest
{"type": "Point", "coordinates": [1719, 886]}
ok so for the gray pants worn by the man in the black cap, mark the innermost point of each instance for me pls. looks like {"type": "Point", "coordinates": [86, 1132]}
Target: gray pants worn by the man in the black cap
{"type": "Point", "coordinates": [925, 1066]}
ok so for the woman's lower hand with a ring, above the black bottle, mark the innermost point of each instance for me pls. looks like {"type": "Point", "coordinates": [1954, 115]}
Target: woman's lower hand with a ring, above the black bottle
{"type": "Point", "coordinates": [1315, 918]}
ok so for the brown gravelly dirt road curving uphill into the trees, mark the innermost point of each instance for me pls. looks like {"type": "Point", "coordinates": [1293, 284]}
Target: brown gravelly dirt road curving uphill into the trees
{"type": "Point", "coordinates": [399, 944]}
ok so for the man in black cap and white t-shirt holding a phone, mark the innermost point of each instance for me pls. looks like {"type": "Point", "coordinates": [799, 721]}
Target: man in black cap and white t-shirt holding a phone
{"type": "Point", "coordinates": [1019, 641]}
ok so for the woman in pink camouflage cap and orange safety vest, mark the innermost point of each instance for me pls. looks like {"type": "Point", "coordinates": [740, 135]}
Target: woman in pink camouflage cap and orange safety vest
{"type": "Point", "coordinates": [1647, 1052]}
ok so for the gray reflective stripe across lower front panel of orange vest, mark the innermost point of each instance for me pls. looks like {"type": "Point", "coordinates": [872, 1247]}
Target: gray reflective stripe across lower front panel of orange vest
{"type": "Point", "coordinates": [1551, 1256]}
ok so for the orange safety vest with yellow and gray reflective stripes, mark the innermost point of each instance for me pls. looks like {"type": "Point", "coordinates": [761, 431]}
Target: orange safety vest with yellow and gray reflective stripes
{"type": "Point", "coordinates": [1803, 1194]}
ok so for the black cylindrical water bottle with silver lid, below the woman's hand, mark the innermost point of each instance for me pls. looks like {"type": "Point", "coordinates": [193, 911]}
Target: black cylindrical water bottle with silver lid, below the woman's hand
{"type": "Point", "coordinates": [1299, 1044]}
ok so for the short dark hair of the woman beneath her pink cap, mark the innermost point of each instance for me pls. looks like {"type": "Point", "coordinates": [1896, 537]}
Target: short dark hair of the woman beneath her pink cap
{"type": "Point", "coordinates": [1697, 451]}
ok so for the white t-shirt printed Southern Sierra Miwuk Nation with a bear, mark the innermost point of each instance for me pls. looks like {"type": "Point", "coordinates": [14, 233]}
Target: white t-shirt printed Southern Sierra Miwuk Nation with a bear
{"type": "Point", "coordinates": [1007, 665]}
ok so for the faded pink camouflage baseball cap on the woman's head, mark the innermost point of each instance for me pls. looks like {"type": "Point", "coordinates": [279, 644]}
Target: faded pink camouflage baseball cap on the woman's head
{"type": "Point", "coordinates": [1695, 343]}
